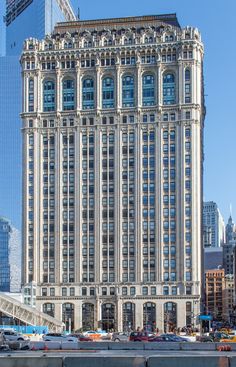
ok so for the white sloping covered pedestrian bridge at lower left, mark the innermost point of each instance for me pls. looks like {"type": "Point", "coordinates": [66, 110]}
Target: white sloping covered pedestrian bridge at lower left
{"type": "Point", "coordinates": [29, 315]}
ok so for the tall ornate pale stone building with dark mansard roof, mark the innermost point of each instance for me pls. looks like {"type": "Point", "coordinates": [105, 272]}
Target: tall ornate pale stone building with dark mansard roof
{"type": "Point", "coordinates": [113, 116]}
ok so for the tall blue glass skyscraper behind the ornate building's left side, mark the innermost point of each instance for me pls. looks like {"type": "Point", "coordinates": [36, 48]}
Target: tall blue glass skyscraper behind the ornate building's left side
{"type": "Point", "coordinates": [23, 19]}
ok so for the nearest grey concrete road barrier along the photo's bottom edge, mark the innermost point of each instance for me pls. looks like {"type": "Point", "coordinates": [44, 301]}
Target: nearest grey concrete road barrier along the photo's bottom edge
{"type": "Point", "coordinates": [45, 360]}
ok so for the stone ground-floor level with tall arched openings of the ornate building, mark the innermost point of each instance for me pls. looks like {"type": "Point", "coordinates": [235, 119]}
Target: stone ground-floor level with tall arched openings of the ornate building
{"type": "Point", "coordinates": [112, 313]}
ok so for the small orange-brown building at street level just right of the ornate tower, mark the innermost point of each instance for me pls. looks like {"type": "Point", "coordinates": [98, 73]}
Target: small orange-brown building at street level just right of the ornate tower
{"type": "Point", "coordinates": [215, 288]}
